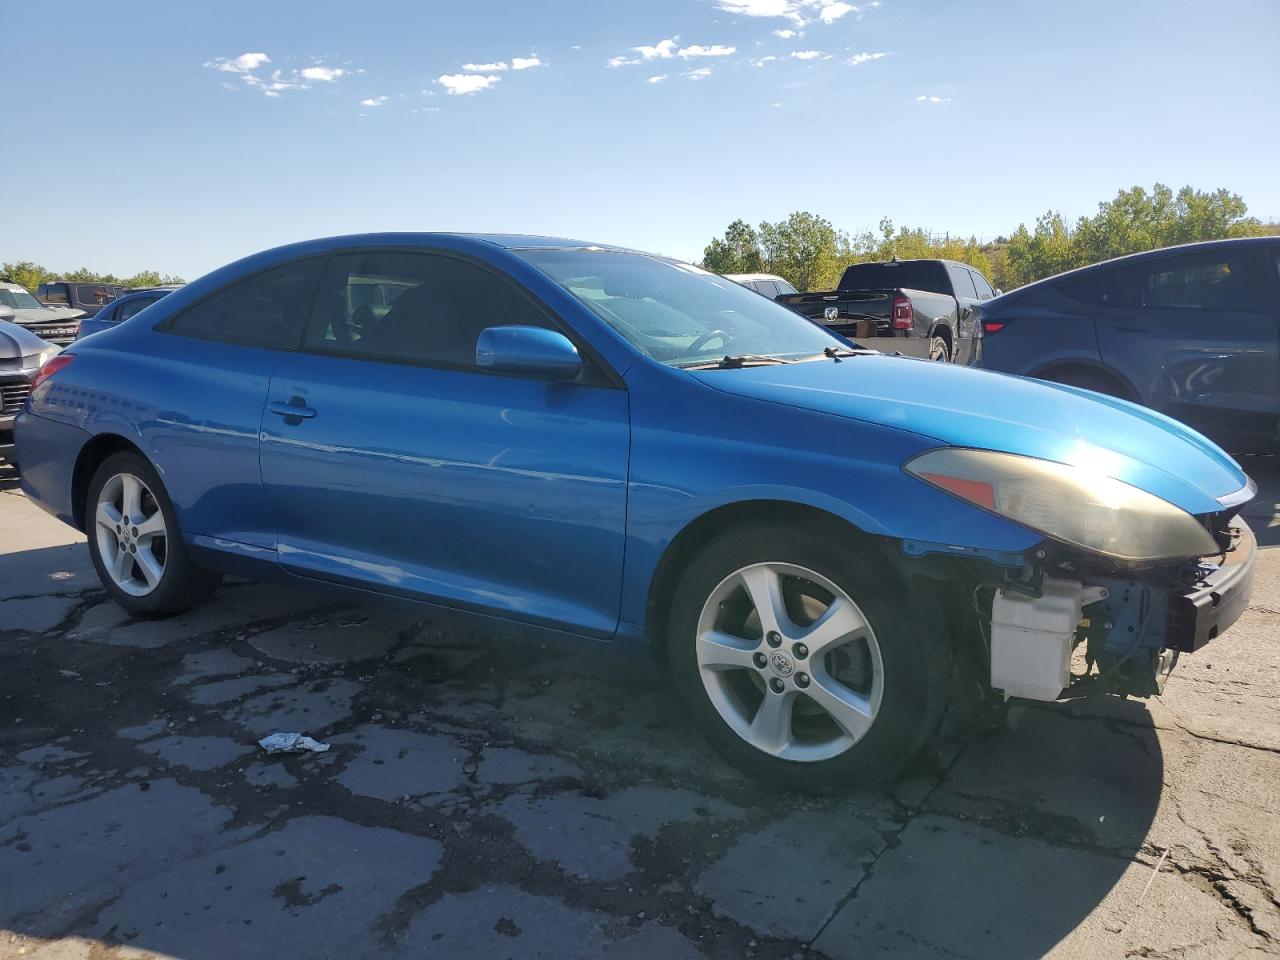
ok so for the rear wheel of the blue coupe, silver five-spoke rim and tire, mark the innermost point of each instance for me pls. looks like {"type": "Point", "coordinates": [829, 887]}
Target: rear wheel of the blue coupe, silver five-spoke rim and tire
{"type": "Point", "coordinates": [135, 542]}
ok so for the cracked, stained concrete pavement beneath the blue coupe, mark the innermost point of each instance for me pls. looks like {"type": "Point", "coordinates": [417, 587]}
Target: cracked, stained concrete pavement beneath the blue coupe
{"type": "Point", "coordinates": [497, 794]}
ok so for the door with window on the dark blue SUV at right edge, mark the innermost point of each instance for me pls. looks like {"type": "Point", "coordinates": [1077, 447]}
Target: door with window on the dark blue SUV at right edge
{"type": "Point", "coordinates": [1196, 333]}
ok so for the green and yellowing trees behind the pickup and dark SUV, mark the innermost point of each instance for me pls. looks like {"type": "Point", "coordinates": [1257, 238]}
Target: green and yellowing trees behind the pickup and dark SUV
{"type": "Point", "coordinates": [812, 254]}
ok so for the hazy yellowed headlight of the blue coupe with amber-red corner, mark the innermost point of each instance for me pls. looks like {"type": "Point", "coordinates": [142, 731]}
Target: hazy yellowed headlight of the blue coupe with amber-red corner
{"type": "Point", "coordinates": [1068, 504]}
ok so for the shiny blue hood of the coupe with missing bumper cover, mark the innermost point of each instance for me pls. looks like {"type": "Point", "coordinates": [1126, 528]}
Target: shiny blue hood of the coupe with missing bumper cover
{"type": "Point", "coordinates": [966, 408]}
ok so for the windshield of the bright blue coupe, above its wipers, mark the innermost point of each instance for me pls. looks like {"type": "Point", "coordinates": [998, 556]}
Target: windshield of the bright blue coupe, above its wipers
{"type": "Point", "coordinates": [680, 314]}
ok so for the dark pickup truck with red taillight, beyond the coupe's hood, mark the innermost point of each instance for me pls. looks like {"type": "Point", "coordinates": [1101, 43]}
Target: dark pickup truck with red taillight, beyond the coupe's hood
{"type": "Point", "coordinates": [917, 308]}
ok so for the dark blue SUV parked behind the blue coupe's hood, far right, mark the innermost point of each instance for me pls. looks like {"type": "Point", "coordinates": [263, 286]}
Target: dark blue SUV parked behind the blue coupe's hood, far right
{"type": "Point", "coordinates": [1192, 332]}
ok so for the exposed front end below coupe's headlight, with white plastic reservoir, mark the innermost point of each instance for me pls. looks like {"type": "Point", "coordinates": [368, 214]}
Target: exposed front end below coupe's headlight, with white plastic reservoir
{"type": "Point", "coordinates": [1126, 629]}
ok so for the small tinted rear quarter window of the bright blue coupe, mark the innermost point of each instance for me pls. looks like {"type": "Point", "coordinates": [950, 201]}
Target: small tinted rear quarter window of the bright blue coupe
{"type": "Point", "coordinates": [267, 310]}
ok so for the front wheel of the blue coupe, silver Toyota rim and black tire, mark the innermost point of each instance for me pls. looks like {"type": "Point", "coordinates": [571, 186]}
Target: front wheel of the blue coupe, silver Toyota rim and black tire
{"type": "Point", "coordinates": [802, 659]}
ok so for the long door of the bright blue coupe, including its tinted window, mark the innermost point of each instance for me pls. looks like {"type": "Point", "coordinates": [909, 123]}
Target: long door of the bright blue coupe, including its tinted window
{"type": "Point", "coordinates": [410, 470]}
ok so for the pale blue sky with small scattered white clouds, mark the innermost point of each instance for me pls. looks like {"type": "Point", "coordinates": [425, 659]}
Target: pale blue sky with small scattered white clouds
{"type": "Point", "coordinates": [180, 136]}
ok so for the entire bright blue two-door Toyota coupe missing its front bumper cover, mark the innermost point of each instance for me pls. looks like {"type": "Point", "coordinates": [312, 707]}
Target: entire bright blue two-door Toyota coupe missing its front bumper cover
{"type": "Point", "coordinates": [825, 546]}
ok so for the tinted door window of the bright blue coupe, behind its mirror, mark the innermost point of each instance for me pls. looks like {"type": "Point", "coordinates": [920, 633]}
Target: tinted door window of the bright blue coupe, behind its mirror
{"type": "Point", "coordinates": [422, 308]}
